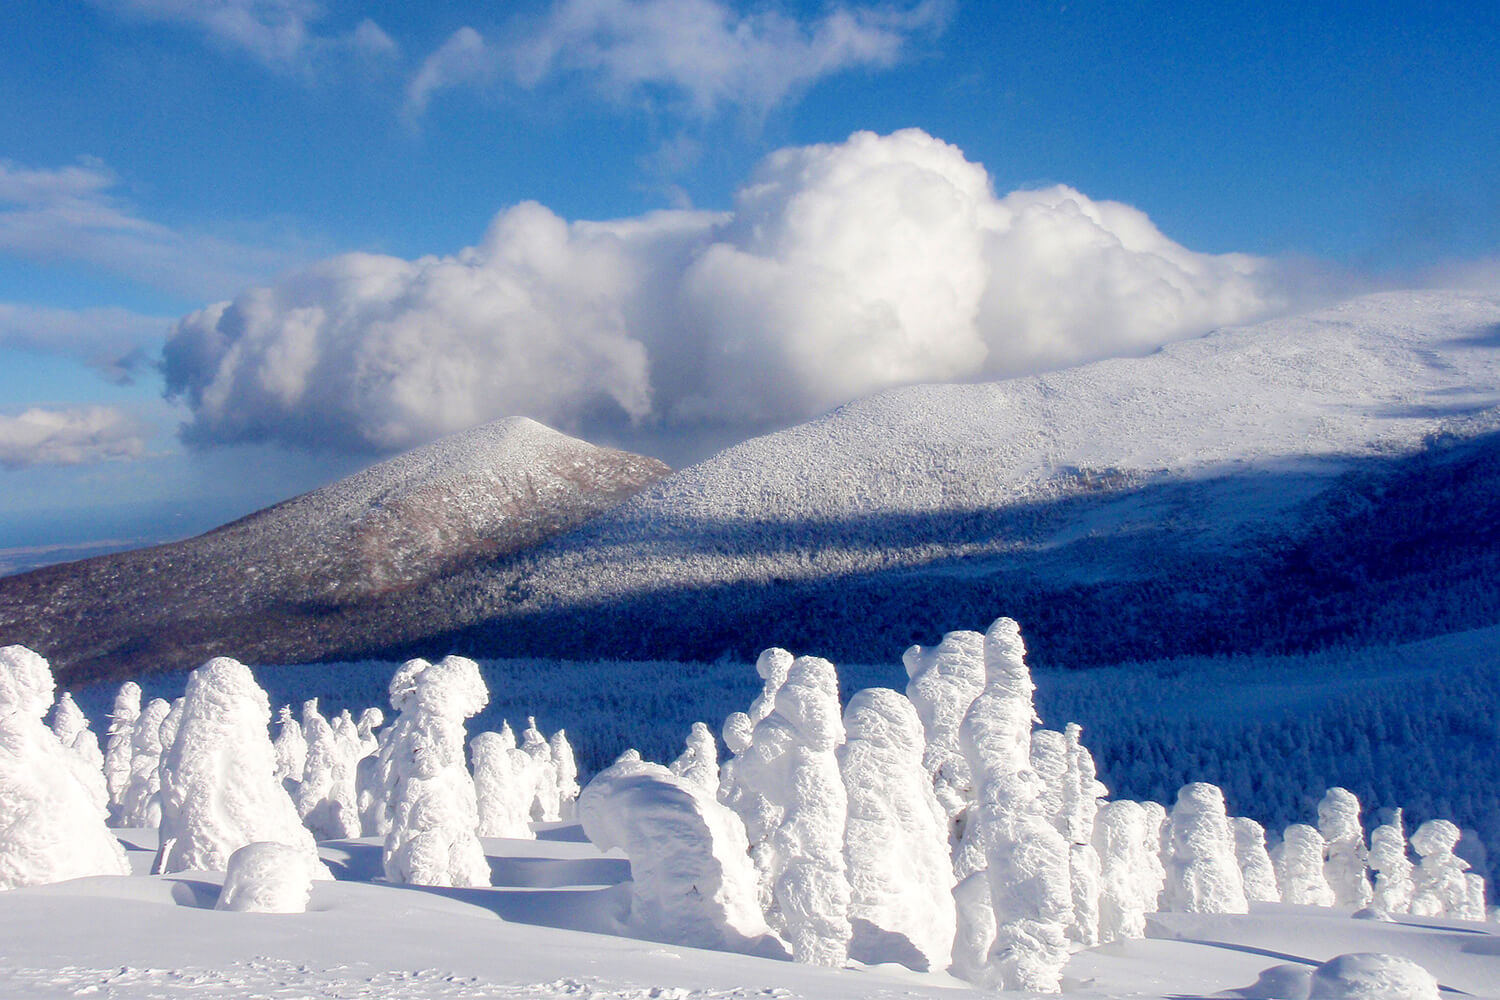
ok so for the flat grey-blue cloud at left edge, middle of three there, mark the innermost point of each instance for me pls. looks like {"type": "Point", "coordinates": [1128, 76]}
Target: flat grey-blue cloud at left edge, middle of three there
{"type": "Point", "coordinates": [116, 343]}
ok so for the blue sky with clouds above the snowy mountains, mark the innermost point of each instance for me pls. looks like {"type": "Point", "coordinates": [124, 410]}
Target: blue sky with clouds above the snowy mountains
{"type": "Point", "coordinates": [163, 155]}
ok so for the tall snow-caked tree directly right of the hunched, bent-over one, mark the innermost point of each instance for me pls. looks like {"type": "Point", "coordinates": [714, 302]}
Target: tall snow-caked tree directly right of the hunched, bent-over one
{"type": "Point", "coordinates": [793, 764]}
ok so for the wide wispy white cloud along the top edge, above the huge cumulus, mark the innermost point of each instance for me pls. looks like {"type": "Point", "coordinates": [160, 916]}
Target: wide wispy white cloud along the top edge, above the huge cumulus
{"type": "Point", "coordinates": [704, 55]}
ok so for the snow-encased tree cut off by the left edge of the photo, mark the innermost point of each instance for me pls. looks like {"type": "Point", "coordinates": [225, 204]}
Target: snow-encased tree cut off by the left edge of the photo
{"type": "Point", "coordinates": [53, 825]}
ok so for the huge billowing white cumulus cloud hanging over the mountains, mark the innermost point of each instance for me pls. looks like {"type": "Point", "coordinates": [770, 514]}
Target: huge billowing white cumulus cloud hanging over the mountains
{"type": "Point", "coordinates": [842, 271]}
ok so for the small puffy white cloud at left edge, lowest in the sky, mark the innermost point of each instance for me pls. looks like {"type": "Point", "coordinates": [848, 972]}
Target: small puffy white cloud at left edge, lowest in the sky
{"type": "Point", "coordinates": [70, 437]}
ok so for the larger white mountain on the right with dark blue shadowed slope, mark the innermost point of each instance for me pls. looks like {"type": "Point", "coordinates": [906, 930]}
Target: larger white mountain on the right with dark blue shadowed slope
{"type": "Point", "coordinates": [1321, 479]}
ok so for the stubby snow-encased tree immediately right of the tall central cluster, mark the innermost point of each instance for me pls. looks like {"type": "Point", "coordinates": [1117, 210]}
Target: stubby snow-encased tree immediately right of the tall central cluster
{"type": "Point", "coordinates": [1130, 872]}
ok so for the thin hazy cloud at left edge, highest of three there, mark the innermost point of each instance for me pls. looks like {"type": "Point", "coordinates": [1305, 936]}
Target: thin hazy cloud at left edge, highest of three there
{"type": "Point", "coordinates": [71, 214]}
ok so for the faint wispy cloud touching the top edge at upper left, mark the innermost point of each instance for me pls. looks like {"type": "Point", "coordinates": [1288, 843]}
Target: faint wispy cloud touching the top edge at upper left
{"type": "Point", "coordinates": [280, 34]}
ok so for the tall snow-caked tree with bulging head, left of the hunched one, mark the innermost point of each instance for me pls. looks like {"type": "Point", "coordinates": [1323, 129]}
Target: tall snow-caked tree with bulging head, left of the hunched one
{"type": "Point", "coordinates": [433, 836]}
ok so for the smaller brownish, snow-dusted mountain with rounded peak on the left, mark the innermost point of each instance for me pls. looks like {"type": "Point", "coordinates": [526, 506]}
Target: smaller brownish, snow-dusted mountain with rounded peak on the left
{"type": "Point", "coordinates": [284, 582]}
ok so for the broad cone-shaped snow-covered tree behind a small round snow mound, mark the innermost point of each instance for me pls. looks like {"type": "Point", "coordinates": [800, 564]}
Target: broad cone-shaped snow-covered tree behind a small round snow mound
{"type": "Point", "coordinates": [220, 776]}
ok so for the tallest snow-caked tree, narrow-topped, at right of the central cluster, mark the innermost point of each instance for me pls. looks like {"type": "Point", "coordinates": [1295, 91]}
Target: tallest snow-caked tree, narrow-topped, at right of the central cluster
{"type": "Point", "coordinates": [1025, 857]}
